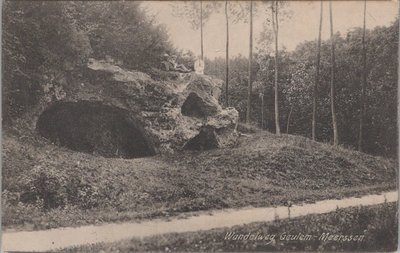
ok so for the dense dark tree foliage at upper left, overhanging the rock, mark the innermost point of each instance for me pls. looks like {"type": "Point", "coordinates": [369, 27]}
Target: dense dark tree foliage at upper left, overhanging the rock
{"type": "Point", "coordinates": [45, 41]}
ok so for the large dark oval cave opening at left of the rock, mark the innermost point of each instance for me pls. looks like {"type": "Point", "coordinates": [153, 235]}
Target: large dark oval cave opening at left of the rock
{"type": "Point", "coordinates": [95, 128]}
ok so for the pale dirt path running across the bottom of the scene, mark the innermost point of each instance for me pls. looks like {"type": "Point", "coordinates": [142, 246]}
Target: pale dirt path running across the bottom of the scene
{"type": "Point", "coordinates": [66, 237]}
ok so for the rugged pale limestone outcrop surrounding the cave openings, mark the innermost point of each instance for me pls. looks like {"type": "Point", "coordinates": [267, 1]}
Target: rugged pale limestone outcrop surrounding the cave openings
{"type": "Point", "coordinates": [170, 115]}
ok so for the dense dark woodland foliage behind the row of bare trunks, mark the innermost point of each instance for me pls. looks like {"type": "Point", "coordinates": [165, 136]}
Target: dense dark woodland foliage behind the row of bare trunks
{"type": "Point", "coordinates": [296, 79]}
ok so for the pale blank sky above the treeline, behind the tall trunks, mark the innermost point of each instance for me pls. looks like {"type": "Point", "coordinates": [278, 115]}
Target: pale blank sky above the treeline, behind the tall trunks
{"type": "Point", "coordinates": [300, 26]}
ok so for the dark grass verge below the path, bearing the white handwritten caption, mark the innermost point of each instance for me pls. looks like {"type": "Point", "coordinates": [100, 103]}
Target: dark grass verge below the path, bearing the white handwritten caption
{"type": "Point", "coordinates": [378, 224]}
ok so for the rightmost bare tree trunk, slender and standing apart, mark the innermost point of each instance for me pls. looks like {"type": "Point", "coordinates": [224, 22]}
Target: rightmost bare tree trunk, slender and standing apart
{"type": "Point", "coordinates": [364, 84]}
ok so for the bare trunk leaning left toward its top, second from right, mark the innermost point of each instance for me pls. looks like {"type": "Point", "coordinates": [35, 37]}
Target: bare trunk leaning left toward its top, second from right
{"type": "Point", "coordinates": [333, 88]}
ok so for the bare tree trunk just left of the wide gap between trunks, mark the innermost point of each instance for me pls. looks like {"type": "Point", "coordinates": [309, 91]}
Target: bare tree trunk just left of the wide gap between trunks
{"type": "Point", "coordinates": [275, 23]}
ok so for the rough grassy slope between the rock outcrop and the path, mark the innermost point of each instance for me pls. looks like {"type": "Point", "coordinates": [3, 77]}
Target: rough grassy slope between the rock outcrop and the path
{"type": "Point", "coordinates": [45, 186]}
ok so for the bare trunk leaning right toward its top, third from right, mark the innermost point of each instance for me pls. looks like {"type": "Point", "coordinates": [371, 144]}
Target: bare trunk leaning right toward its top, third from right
{"type": "Point", "coordinates": [316, 84]}
